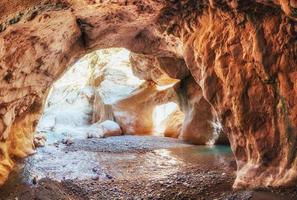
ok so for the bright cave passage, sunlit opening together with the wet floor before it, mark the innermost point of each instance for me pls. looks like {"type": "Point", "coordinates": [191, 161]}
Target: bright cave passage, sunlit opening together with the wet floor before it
{"type": "Point", "coordinates": [81, 139]}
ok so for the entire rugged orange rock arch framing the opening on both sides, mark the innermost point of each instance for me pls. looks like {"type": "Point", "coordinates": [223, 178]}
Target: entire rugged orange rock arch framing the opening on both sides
{"type": "Point", "coordinates": [240, 53]}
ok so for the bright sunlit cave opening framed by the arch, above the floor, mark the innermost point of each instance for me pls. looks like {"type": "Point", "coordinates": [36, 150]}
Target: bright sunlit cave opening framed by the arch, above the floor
{"type": "Point", "coordinates": [99, 96]}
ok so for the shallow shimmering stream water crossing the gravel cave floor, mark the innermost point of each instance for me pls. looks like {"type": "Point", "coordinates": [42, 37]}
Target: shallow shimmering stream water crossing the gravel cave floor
{"type": "Point", "coordinates": [54, 163]}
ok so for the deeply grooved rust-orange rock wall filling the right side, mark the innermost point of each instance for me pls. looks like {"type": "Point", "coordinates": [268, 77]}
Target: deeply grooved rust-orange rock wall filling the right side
{"type": "Point", "coordinates": [243, 55]}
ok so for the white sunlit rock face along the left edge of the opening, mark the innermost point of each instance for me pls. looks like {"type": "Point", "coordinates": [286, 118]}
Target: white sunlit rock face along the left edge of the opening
{"type": "Point", "coordinates": [68, 108]}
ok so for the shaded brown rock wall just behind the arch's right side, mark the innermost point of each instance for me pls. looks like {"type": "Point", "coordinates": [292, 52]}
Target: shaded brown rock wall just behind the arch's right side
{"type": "Point", "coordinates": [196, 127]}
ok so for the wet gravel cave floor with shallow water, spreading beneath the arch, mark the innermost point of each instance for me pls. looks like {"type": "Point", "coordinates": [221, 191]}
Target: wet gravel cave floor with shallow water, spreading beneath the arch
{"type": "Point", "coordinates": [130, 167]}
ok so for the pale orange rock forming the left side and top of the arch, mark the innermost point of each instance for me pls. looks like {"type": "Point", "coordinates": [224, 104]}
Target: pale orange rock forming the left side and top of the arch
{"type": "Point", "coordinates": [38, 49]}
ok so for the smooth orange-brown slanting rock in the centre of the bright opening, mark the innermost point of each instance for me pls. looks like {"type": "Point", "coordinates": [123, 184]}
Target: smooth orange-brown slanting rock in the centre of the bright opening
{"type": "Point", "coordinates": [134, 113]}
